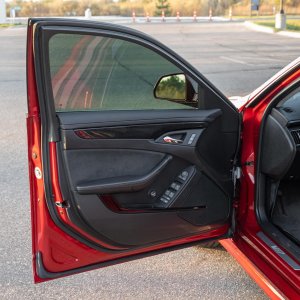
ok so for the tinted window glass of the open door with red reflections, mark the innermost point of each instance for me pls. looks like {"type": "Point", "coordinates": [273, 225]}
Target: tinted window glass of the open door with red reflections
{"type": "Point", "coordinates": [101, 73]}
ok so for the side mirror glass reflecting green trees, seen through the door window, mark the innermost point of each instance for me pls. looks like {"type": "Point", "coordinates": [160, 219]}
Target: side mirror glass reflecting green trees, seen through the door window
{"type": "Point", "coordinates": [171, 87]}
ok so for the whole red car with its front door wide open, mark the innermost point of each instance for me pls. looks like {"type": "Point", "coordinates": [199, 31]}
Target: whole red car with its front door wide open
{"type": "Point", "coordinates": [132, 152]}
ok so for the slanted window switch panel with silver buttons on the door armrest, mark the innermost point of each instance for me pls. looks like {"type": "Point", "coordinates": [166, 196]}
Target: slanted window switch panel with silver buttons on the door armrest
{"type": "Point", "coordinates": [176, 187]}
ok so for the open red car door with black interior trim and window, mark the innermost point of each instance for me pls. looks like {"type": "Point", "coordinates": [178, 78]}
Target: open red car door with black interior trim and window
{"type": "Point", "coordinates": [131, 151]}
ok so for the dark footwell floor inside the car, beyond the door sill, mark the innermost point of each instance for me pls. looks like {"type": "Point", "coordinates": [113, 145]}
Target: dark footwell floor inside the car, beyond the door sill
{"type": "Point", "coordinates": [286, 213]}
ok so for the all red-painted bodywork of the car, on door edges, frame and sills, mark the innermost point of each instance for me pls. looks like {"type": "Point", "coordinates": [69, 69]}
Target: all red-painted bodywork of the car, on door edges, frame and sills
{"type": "Point", "coordinates": [63, 253]}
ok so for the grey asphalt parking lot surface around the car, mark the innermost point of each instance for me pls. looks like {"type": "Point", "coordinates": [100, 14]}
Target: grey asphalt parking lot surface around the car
{"type": "Point", "coordinates": [236, 60]}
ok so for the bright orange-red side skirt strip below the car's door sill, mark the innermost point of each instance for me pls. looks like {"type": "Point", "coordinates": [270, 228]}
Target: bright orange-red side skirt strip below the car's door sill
{"type": "Point", "coordinates": [261, 280]}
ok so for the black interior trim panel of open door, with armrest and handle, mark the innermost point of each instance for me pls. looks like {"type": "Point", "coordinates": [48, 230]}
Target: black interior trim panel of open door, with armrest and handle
{"type": "Point", "coordinates": [121, 173]}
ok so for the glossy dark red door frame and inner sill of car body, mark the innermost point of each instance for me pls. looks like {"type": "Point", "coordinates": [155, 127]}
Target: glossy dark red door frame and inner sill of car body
{"type": "Point", "coordinates": [245, 238]}
